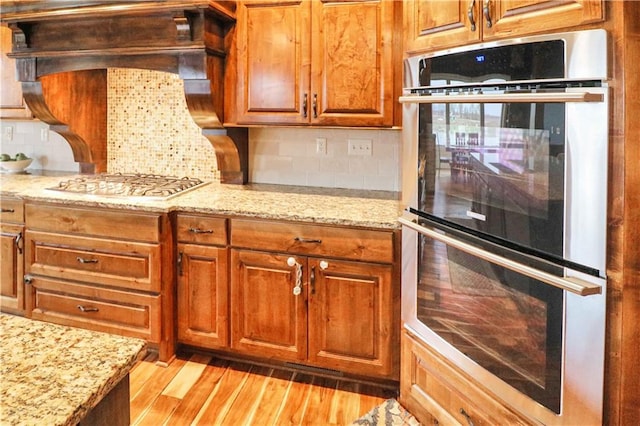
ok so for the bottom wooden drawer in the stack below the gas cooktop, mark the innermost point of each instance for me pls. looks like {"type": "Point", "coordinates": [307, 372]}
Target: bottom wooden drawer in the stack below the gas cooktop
{"type": "Point", "coordinates": [107, 310]}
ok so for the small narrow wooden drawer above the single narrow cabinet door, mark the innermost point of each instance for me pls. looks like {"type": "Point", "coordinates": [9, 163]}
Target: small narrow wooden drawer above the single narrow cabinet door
{"type": "Point", "coordinates": [201, 229]}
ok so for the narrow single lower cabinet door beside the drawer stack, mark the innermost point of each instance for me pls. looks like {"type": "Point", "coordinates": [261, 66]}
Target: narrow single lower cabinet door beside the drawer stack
{"type": "Point", "coordinates": [203, 296]}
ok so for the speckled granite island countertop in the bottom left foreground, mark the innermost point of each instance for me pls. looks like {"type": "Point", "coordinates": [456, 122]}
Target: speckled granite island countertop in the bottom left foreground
{"type": "Point", "coordinates": [54, 375]}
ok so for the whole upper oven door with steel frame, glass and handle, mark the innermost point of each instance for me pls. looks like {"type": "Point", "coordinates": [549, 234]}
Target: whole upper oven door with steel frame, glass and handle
{"type": "Point", "coordinates": [529, 172]}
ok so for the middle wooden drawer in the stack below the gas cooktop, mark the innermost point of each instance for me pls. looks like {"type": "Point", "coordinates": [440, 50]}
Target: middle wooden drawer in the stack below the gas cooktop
{"type": "Point", "coordinates": [130, 265]}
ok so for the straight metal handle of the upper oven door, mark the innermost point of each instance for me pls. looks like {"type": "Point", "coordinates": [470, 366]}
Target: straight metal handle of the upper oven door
{"type": "Point", "coordinates": [557, 97]}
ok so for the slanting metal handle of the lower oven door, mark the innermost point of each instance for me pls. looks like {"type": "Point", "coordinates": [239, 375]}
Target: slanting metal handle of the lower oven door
{"type": "Point", "coordinates": [572, 284]}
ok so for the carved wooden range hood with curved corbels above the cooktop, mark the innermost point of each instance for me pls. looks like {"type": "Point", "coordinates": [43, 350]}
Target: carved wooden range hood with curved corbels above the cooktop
{"type": "Point", "coordinates": [63, 48]}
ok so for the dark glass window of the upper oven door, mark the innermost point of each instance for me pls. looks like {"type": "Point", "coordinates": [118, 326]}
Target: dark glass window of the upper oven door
{"type": "Point", "coordinates": [495, 168]}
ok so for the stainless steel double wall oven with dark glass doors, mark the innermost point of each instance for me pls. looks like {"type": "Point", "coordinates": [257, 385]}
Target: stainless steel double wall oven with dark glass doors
{"type": "Point", "coordinates": [504, 236]}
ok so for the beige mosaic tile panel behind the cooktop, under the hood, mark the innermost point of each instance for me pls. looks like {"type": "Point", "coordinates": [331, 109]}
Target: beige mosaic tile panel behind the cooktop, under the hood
{"type": "Point", "coordinates": [150, 129]}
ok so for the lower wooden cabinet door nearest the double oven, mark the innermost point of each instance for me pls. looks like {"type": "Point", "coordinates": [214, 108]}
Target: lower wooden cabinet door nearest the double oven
{"type": "Point", "coordinates": [351, 317]}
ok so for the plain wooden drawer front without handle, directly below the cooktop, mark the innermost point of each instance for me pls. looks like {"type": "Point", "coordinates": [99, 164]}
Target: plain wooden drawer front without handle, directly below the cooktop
{"type": "Point", "coordinates": [102, 222]}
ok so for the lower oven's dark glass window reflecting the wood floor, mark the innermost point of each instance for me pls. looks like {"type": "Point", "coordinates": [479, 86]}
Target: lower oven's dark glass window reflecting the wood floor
{"type": "Point", "coordinates": [507, 323]}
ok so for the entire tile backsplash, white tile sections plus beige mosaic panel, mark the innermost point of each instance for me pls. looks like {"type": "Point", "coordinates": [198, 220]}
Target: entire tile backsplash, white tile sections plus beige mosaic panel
{"type": "Point", "coordinates": [150, 130]}
